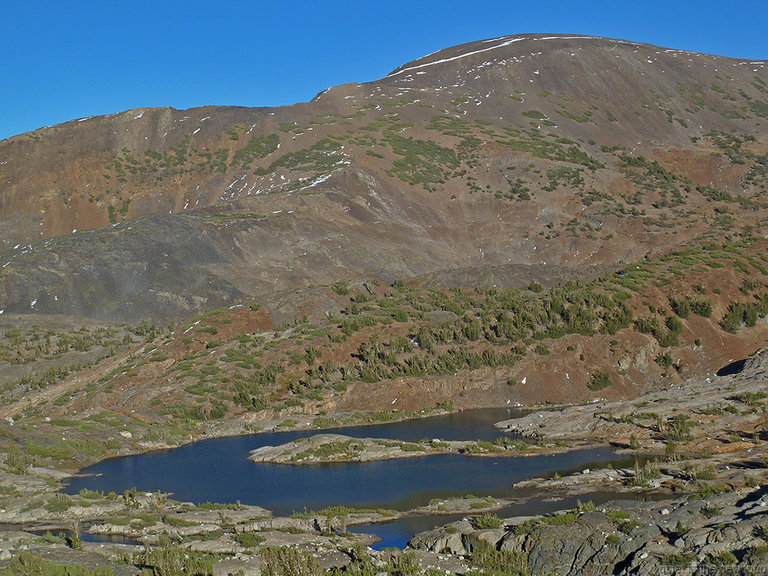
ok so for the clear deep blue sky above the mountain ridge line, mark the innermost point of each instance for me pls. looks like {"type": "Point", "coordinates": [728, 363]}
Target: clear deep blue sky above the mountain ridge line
{"type": "Point", "coordinates": [61, 60]}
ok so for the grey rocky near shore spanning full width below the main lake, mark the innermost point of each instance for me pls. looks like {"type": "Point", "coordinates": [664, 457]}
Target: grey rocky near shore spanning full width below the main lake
{"type": "Point", "coordinates": [720, 519]}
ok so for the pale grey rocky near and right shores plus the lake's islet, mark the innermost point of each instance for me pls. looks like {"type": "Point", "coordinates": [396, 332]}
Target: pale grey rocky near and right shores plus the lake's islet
{"type": "Point", "coordinates": [700, 449]}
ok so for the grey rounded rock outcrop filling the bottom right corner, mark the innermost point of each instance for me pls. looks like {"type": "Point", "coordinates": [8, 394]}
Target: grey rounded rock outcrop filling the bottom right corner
{"type": "Point", "coordinates": [679, 536]}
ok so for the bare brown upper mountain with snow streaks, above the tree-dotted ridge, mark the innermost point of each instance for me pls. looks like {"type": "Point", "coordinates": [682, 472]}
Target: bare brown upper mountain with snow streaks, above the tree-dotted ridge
{"type": "Point", "coordinates": [496, 162]}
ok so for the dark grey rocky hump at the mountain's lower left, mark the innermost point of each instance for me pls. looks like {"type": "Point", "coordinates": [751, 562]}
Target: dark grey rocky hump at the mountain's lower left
{"type": "Point", "coordinates": [158, 263]}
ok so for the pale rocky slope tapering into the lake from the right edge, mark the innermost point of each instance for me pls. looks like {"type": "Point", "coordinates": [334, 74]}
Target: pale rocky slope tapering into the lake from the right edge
{"type": "Point", "coordinates": [712, 417]}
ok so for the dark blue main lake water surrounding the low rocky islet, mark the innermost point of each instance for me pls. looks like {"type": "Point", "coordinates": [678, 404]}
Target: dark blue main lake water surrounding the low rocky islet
{"type": "Point", "coordinates": [218, 470]}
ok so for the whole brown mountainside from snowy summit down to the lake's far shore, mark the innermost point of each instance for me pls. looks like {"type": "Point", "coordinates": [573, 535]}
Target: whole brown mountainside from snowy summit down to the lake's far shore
{"type": "Point", "coordinates": [524, 219]}
